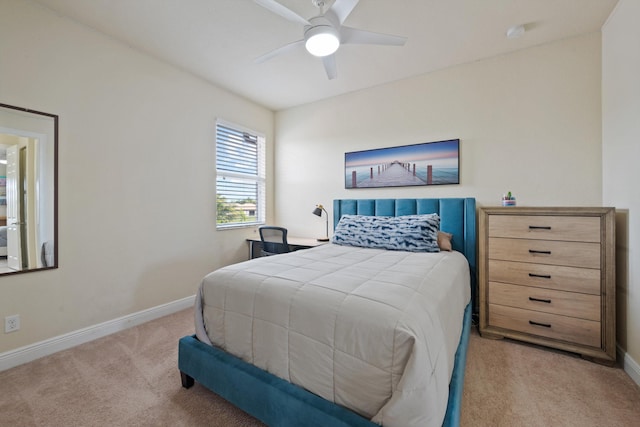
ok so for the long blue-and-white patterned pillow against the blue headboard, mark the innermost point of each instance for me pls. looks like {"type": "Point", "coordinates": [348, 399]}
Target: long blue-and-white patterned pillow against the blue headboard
{"type": "Point", "coordinates": [412, 233]}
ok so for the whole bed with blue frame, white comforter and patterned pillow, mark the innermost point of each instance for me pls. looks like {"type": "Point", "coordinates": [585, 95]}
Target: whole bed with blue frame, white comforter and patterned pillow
{"type": "Point", "coordinates": [343, 335]}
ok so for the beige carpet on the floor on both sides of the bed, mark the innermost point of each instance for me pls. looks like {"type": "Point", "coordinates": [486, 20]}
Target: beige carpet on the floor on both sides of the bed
{"type": "Point", "coordinates": [131, 379]}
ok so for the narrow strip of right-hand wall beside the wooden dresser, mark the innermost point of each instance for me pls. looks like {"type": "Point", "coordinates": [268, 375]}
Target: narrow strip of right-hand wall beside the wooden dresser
{"type": "Point", "coordinates": [620, 154]}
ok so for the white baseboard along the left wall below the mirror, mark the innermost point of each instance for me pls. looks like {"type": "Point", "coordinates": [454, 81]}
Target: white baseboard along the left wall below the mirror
{"type": "Point", "coordinates": [40, 349]}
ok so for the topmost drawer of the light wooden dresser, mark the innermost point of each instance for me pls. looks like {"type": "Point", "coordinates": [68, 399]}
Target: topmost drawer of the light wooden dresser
{"type": "Point", "coordinates": [546, 227]}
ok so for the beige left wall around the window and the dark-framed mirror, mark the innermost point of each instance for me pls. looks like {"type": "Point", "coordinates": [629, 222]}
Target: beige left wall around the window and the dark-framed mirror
{"type": "Point", "coordinates": [136, 176]}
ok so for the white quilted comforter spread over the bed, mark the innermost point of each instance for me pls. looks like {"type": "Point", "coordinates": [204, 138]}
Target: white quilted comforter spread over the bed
{"type": "Point", "coordinates": [373, 330]}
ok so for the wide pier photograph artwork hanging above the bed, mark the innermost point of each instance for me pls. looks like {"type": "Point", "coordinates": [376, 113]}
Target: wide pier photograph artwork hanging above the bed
{"type": "Point", "coordinates": [429, 163]}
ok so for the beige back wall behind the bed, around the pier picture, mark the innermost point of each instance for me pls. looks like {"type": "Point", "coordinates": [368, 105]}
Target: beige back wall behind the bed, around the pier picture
{"type": "Point", "coordinates": [529, 122]}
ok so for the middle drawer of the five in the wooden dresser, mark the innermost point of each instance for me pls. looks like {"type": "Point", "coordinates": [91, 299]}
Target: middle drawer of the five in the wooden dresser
{"type": "Point", "coordinates": [571, 279]}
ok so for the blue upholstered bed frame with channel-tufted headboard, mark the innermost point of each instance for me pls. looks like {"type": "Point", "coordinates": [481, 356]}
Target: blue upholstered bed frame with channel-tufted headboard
{"type": "Point", "coordinates": [277, 402]}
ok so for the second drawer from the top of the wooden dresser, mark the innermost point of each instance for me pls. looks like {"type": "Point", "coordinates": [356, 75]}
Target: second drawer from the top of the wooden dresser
{"type": "Point", "coordinates": [573, 254]}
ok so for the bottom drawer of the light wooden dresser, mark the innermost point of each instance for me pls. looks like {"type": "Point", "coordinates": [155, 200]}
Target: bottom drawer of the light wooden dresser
{"type": "Point", "coordinates": [570, 329]}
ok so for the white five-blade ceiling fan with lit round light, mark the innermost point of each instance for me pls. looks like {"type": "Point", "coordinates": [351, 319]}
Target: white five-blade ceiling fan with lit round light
{"type": "Point", "coordinates": [324, 33]}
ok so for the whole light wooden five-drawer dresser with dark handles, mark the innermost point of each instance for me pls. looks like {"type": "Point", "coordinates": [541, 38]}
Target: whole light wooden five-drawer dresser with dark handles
{"type": "Point", "coordinates": [547, 276]}
